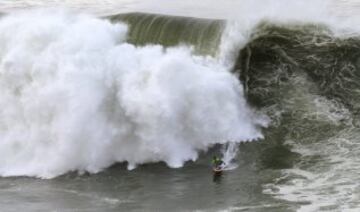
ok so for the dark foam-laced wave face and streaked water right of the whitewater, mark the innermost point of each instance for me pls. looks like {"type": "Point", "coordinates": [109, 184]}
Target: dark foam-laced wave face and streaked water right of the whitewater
{"type": "Point", "coordinates": [307, 81]}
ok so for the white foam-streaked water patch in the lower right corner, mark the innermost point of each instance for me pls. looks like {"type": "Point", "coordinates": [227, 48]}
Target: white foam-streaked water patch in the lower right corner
{"type": "Point", "coordinates": [330, 183]}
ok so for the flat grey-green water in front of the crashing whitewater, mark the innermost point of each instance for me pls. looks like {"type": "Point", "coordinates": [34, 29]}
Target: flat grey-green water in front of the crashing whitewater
{"type": "Point", "coordinates": [148, 188]}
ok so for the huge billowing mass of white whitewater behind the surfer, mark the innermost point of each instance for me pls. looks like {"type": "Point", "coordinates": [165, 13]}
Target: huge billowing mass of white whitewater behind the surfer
{"type": "Point", "coordinates": [75, 96]}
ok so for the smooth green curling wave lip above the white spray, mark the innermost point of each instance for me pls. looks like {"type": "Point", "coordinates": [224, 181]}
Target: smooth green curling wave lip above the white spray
{"type": "Point", "coordinates": [203, 34]}
